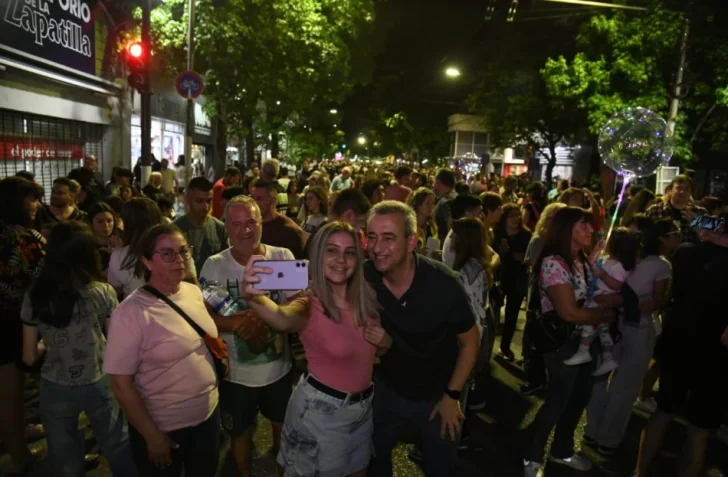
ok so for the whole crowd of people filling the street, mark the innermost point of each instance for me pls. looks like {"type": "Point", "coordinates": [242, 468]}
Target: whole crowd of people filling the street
{"type": "Point", "coordinates": [106, 294]}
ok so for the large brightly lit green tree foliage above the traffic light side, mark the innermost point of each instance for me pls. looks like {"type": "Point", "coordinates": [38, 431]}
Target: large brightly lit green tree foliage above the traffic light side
{"type": "Point", "coordinates": [265, 61]}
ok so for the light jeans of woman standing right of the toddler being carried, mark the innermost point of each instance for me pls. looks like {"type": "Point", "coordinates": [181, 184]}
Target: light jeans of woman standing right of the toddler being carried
{"type": "Point", "coordinates": [610, 407]}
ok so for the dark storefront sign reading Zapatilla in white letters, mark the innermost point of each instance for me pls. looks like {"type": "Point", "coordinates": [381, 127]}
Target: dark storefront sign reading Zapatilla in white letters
{"type": "Point", "coordinates": [60, 31]}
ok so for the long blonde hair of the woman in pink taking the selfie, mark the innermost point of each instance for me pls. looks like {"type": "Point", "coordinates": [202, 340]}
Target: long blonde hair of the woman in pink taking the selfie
{"type": "Point", "coordinates": [359, 295]}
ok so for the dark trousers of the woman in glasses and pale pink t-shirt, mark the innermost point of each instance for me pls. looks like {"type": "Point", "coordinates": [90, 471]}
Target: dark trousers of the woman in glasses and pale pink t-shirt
{"type": "Point", "coordinates": [198, 452]}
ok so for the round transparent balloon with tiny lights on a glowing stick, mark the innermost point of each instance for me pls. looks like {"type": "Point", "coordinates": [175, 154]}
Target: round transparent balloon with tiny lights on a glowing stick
{"type": "Point", "coordinates": [635, 142]}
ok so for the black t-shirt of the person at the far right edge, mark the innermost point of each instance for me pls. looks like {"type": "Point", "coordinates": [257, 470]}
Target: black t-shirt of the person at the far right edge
{"type": "Point", "coordinates": [700, 299]}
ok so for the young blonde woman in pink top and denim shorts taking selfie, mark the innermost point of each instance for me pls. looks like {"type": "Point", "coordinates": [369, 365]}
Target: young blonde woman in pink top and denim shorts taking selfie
{"type": "Point", "coordinates": [328, 427]}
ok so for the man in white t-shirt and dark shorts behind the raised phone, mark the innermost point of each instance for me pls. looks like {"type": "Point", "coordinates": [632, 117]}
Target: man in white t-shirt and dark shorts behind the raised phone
{"type": "Point", "coordinates": [257, 381]}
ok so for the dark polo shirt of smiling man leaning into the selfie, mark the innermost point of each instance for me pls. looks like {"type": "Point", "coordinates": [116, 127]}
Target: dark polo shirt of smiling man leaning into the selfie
{"type": "Point", "coordinates": [424, 324]}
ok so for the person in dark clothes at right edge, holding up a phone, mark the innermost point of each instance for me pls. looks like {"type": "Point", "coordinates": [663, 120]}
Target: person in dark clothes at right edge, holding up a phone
{"type": "Point", "coordinates": [693, 352]}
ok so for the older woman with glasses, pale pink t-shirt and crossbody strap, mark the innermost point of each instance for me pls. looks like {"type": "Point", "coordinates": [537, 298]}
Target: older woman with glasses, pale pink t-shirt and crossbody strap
{"type": "Point", "coordinates": [161, 370]}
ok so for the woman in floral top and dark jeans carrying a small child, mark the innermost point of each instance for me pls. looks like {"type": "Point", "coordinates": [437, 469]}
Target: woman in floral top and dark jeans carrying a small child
{"type": "Point", "coordinates": [563, 280]}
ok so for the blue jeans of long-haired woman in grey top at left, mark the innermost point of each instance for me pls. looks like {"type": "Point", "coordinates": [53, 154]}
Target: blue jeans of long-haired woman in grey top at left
{"type": "Point", "coordinates": [59, 409]}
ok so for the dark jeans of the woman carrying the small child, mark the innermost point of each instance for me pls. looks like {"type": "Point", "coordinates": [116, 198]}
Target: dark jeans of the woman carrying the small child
{"type": "Point", "coordinates": [568, 394]}
